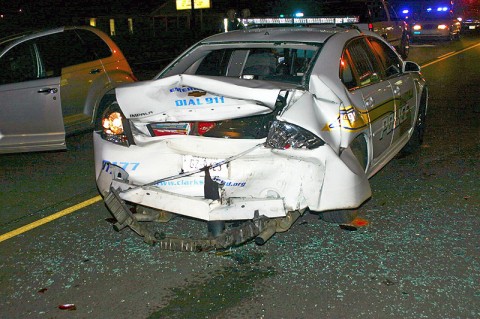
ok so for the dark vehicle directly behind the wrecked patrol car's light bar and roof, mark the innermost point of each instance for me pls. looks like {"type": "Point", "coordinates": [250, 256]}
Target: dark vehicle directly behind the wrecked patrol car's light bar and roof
{"type": "Point", "coordinates": [375, 15]}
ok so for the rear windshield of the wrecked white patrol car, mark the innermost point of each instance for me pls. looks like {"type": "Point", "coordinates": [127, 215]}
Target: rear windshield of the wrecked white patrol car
{"type": "Point", "coordinates": [271, 62]}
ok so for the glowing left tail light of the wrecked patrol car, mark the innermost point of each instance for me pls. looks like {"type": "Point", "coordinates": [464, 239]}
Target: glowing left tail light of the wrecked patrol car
{"type": "Point", "coordinates": [114, 127]}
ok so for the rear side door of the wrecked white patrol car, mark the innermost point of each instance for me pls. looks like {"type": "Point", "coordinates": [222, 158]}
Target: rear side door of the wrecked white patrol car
{"type": "Point", "coordinates": [372, 96]}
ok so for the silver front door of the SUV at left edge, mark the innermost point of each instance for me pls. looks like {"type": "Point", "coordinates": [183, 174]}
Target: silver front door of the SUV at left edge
{"type": "Point", "coordinates": [30, 109]}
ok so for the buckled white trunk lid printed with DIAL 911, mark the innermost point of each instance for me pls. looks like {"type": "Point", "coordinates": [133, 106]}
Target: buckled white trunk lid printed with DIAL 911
{"type": "Point", "coordinates": [198, 98]}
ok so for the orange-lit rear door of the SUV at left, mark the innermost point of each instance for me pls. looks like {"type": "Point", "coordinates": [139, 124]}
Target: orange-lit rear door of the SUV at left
{"type": "Point", "coordinates": [80, 69]}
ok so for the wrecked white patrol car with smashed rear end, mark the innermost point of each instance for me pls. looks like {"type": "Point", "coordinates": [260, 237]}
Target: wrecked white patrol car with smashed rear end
{"type": "Point", "coordinates": [247, 130]}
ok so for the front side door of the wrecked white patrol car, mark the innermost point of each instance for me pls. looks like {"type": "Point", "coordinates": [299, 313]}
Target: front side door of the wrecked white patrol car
{"type": "Point", "coordinates": [403, 91]}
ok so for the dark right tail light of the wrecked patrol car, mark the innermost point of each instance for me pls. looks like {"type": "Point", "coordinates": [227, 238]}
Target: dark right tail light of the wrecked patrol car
{"type": "Point", "coordinates": [284, 135]}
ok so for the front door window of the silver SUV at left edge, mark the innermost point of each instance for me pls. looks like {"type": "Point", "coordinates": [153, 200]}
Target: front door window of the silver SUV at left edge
{"type": "Point", "coordinates": [19, 64]}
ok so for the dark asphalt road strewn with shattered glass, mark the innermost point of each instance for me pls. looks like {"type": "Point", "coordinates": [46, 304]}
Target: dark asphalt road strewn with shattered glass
{"type": "Point", "coordinates": [418, 257]}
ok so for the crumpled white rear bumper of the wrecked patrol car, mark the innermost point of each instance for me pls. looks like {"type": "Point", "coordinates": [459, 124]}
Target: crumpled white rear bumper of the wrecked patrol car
{"type": "Point", "coordinates": [263, 182]}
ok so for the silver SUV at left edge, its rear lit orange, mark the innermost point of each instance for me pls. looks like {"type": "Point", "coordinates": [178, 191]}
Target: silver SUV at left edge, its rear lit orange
{"type": "Point", "coordinates": [51, 83]}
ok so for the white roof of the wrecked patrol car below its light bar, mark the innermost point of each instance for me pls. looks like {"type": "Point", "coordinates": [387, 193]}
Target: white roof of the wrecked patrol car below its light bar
{"type": "Point", "coordinates": [318, 34]}
